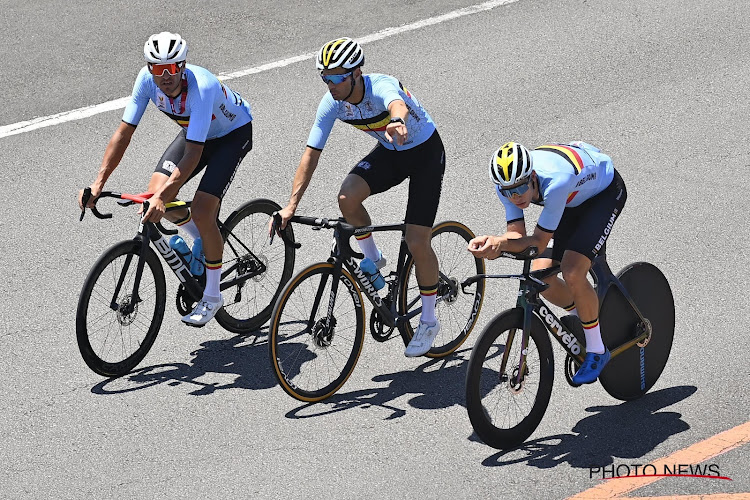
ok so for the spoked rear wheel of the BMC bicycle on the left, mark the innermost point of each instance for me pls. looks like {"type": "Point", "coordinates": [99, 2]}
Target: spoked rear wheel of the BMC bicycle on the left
{"type": "Point", "coordinates": [262, 269]}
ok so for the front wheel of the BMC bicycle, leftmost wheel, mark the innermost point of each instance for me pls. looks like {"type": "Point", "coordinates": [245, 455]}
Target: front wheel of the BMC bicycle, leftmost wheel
{"type": "Point", "coordinates": [115, 333]}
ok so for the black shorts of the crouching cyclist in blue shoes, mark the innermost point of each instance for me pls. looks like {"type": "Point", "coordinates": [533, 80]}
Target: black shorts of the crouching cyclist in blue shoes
{"type": "Point", "coordinates": [585, 228]}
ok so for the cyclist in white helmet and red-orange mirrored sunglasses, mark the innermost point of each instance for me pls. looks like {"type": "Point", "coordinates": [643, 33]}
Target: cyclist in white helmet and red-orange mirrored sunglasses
{"type": "Point", "coordinates": [216, 134]}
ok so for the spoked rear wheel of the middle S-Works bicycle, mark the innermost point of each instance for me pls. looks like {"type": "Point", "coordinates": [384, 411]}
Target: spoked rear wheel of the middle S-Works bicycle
{"type": "Point", "coordinates": [457, 312]}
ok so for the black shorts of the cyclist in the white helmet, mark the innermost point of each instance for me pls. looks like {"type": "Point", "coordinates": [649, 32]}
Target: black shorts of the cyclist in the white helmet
{"type": "Point", "coordinates": [220, 158]}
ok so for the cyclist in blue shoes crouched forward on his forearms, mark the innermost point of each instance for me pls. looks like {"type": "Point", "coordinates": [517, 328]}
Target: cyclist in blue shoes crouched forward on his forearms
{"type": "Point", "coordinates": [582, 196]}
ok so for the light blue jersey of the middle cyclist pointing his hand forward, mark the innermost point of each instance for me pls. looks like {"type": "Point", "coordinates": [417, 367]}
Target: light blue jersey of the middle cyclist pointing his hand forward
{"type": "Point", "coordinates": [371, 114]}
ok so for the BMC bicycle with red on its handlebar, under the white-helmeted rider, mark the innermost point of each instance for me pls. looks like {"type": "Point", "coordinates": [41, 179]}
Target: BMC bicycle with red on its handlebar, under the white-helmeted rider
{"type": "Point", "coordinates": [123, 299]}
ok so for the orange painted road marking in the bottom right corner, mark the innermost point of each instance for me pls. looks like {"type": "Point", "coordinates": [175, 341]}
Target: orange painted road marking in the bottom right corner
{"type": "Point", "coordinates": [694, 454]}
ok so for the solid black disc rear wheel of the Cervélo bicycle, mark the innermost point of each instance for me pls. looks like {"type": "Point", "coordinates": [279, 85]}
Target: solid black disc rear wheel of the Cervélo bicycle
{"type": "Point", "coordinates": [632, 373]}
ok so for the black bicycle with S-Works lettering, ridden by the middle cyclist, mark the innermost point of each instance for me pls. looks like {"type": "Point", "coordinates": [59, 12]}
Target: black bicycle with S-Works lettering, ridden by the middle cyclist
{"type": "Point", "coordinates": [314, 346]}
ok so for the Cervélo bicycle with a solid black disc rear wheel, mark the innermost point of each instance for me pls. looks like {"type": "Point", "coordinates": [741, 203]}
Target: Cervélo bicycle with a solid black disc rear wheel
{"type": "Point", "coordinates": [509, 376]}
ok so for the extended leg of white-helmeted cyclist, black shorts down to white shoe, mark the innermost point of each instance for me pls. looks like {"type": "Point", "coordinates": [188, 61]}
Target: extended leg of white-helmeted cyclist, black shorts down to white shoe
{"type": "Point", "coordinates": [222, 158]}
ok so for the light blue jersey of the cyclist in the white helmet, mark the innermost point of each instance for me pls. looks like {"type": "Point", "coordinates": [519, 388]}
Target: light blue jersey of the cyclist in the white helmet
{"type": "Point", "coordinates": [206, 108]}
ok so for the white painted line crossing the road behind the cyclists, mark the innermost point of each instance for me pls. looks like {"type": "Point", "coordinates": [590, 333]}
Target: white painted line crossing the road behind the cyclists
{"type": "Point", "coordinates": [80, 113]}
